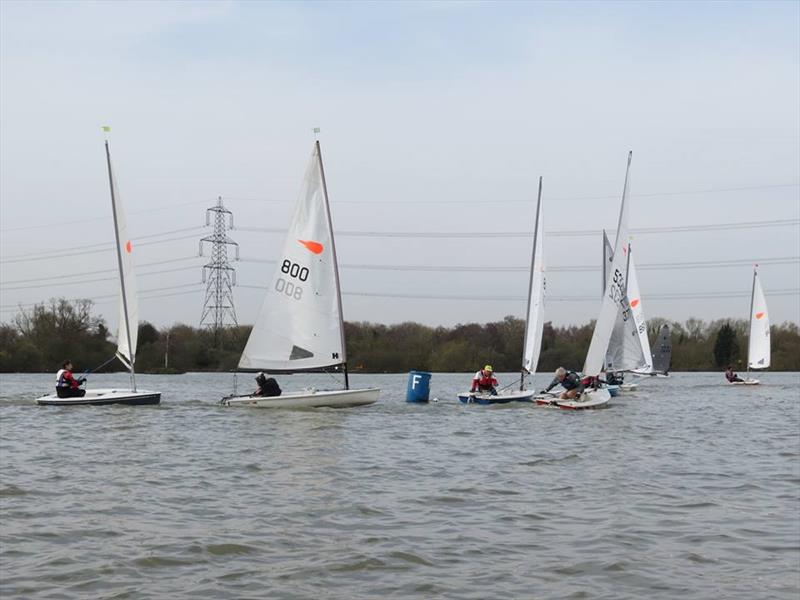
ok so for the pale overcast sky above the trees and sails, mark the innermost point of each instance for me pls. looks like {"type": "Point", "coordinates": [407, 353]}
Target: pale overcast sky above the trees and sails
{"type": "Point", "coordinates": [436, 118]}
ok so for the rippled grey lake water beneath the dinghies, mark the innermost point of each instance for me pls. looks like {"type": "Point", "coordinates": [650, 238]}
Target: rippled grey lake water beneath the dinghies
{"type": "Point", "coordinates": [687, 488]}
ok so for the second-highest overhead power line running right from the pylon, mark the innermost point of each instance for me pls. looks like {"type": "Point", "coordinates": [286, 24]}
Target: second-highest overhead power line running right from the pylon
{"type": "Point", "coordinates": [528, 234]}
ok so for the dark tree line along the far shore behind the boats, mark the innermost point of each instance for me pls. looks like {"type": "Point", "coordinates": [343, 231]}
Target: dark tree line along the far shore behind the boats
{"type": "Point", "coordinates": [40, 338]}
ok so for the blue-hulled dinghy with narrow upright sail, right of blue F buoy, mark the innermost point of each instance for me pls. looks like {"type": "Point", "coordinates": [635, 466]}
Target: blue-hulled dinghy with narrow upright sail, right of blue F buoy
{"type": "Point", "coordinates": [534, 322]}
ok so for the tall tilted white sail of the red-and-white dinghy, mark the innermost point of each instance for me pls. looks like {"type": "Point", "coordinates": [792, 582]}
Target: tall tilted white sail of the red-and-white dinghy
{"type": "Point", "coordinates": [615, 299]}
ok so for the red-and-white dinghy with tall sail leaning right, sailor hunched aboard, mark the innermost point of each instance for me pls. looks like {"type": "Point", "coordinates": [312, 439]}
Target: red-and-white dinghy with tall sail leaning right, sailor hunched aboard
{"type": "Point", "coordinates": [615, 313]}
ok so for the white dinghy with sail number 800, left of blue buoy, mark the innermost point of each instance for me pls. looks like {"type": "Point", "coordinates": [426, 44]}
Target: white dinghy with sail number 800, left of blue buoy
{"type": "Point", "coordinates": [300, 327]}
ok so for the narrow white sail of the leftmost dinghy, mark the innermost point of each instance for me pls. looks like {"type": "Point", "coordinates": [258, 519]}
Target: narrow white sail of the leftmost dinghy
{"type": "Point", "coordinates": [128, 329]}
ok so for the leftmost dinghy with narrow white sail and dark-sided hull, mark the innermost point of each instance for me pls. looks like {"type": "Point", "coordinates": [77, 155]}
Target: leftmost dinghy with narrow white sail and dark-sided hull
{"type": "Point", "coordinates": [128, 330]}
